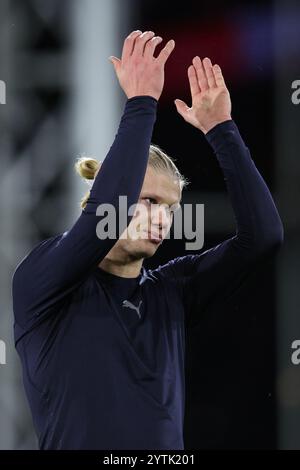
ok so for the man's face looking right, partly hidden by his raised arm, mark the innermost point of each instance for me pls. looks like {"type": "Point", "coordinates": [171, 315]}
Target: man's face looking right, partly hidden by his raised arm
{"type": "Point", "coordinates": [159, 198]}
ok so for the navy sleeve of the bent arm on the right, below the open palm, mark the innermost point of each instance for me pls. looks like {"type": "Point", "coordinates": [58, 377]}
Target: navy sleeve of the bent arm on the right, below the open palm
{"type": "Point", "coordinates": [220, 270]}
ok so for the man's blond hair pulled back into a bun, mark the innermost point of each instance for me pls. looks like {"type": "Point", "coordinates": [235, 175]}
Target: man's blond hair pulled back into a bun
{"type": "Point", "coordinates": [88, 168]}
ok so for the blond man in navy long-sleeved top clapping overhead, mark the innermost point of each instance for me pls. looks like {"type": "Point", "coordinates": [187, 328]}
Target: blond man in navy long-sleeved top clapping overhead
{"type": "Point", "coordinates": [102, 339]}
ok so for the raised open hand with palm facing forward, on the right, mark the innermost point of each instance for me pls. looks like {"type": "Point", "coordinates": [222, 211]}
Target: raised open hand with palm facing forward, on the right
{"type": "Point", "coordinates": [211, 102]}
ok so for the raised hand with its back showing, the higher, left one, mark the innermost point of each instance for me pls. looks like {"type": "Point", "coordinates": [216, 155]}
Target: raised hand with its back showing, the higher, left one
{"type": "Point", "coordinates": [138, 71]}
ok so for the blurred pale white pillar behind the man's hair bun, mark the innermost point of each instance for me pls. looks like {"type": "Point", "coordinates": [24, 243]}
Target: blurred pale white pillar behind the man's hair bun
{"type": "Point", "coordinates": [97, 99]}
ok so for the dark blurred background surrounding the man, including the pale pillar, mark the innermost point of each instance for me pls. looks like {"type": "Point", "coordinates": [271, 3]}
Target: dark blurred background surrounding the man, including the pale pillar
{"type": "Point", "coordinates": [63, 100]}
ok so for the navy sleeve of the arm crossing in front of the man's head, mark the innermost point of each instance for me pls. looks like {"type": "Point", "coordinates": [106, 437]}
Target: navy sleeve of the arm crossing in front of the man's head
{"type": "Point", "coordinates": [58, 265]}
